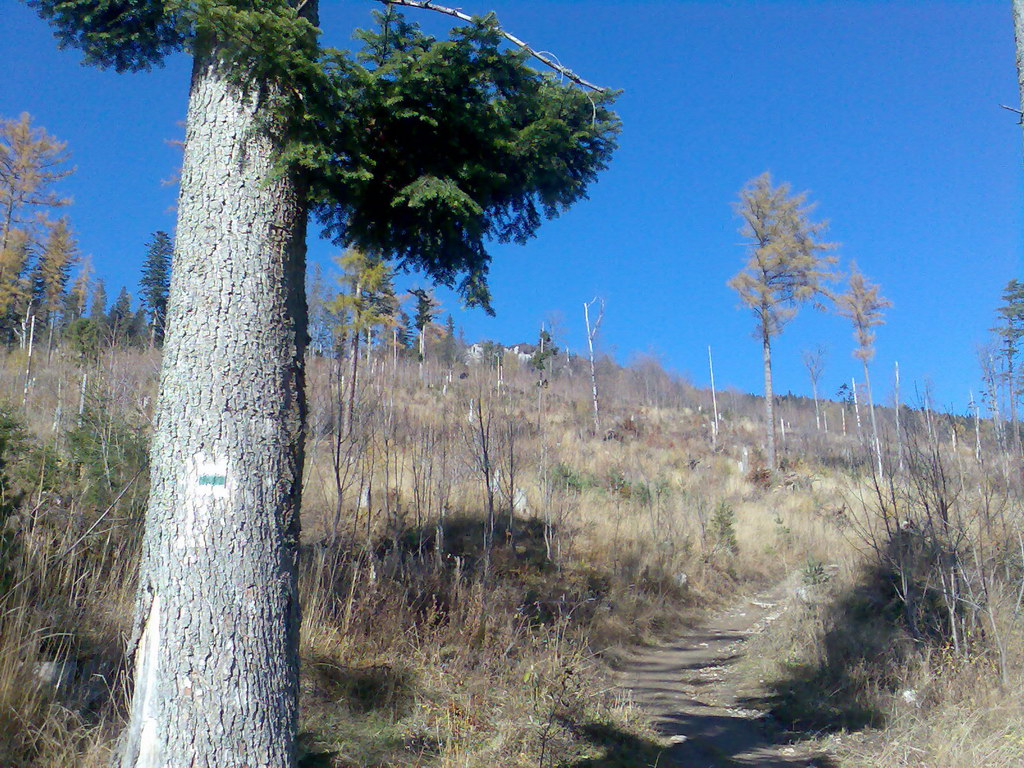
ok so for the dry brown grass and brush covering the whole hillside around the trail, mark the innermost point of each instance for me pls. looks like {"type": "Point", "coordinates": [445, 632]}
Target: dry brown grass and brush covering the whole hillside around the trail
{"type": "Point", "coordinates": [476, 558]}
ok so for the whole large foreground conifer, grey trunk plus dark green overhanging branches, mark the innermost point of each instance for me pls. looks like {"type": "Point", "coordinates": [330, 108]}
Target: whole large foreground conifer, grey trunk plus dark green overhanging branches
{"type": "Point", "coordinates": [422, 150]}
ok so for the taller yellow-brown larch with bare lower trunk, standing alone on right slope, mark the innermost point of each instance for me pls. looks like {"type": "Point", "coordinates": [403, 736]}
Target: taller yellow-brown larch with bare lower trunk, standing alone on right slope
{"type": "Point", "coordinates": [788, 265]}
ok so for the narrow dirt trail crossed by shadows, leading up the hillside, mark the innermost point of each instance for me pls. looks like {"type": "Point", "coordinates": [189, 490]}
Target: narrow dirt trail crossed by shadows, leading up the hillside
{"type": "Point", "coordinates": [691, 689]}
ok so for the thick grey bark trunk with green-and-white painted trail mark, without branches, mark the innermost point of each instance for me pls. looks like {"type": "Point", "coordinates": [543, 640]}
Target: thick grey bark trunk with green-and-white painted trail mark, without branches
{"type": "Point", "coordinates": [218, 616]}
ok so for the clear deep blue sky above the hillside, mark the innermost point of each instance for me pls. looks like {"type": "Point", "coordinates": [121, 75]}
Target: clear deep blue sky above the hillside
{"type": "Point", "coordinates": [887, 112]}
